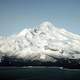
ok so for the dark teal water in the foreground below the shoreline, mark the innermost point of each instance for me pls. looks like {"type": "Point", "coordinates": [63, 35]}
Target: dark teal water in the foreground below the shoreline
{"type": "Point", "coordinates": [38, 73]}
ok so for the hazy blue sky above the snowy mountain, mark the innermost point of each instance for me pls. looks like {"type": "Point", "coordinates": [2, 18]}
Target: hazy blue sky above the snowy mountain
{"type": "Point", "coordinates": [15, 15]}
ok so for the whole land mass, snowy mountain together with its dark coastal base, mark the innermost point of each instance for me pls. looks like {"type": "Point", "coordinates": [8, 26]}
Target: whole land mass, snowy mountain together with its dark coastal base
{"type": "Point", "coordinates": [44, 45]}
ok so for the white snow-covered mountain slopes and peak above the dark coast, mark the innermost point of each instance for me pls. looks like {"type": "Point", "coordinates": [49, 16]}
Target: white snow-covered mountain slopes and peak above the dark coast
{"type": "Point", "coordinates": [43, 43]}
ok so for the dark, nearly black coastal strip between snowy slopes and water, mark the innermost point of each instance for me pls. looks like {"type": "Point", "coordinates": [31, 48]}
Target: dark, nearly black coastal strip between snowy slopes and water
{"type": "Point", "coordinates": [60, 62]}
